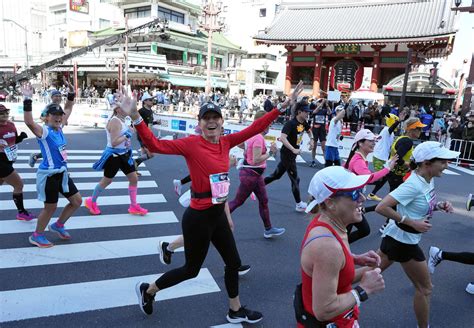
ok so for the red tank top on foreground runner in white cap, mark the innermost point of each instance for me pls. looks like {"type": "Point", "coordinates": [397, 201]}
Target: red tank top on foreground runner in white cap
{"type": "Point", "coordinates": [344, 285]}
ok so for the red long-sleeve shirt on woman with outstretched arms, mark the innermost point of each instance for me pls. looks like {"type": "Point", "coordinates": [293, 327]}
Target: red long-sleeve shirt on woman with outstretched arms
{"type": "Point", "coordinates": [202, 157]}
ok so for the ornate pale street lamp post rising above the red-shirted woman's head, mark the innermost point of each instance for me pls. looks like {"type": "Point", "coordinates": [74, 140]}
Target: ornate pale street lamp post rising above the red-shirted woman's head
{"type": "Point", "coordinates": [210, 23]}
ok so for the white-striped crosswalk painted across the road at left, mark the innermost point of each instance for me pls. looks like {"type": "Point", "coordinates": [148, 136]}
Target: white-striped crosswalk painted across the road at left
{"type": "Point", "coordinates": [82, 294]}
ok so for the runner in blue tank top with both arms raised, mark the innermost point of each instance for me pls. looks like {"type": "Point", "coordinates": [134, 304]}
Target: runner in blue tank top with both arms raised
{"type": "Point", "coordinates": [52, 175]}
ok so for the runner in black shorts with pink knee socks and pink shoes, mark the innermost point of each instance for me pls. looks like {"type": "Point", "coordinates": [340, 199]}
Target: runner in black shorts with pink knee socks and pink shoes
{"type": "Point", "coordinates": [117, 156]}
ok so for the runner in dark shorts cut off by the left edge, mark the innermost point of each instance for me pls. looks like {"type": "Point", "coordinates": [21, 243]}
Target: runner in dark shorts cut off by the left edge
{"type": "Point", "coordinates": [9, 139]}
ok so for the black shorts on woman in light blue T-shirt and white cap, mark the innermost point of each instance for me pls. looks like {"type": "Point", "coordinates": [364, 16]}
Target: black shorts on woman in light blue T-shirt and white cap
{"type": "Point", "coordinates": [401, 252]}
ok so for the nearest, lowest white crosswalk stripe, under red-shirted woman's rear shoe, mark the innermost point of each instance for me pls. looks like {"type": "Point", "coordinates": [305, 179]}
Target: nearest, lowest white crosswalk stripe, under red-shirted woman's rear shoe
{"type": "Point", "coordinates": [92, 295]}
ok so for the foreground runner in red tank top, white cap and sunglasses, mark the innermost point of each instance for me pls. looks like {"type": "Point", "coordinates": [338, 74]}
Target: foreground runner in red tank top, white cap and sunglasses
{"type": "Point", "coordinates": [326, 297]}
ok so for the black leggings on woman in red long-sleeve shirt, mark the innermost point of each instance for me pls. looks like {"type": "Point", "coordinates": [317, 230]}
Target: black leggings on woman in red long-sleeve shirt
{"type": "Point", "coordinates": [200, 228]}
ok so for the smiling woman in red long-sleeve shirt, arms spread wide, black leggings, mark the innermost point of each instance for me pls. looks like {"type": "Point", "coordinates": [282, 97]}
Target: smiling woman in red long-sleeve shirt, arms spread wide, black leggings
{"type": "Point", "coordinates": [207, 157]}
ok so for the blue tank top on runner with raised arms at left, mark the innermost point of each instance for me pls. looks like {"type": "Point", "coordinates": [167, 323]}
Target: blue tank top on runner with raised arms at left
{"type": "Point", "coordinates": [53, 148]}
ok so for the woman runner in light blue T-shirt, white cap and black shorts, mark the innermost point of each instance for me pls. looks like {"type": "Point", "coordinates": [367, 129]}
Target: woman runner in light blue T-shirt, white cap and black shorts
{"type": "Point", "coordinates": [415, 200]}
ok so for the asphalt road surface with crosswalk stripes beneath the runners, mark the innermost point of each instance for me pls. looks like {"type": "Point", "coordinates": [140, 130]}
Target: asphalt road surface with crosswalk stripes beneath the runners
{"type": "Point", "coordinates": [36, 291]}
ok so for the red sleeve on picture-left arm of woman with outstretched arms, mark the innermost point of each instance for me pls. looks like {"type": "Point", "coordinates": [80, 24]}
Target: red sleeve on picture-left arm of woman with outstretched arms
{"type": "Point", "coordinates": [171, 147]}
